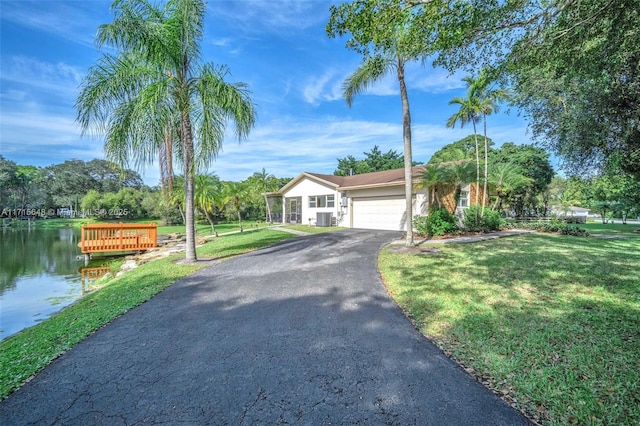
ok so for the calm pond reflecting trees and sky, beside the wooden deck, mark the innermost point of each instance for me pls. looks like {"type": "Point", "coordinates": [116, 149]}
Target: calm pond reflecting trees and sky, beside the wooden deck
{"type": "Point", "coordinates": [39, 275]}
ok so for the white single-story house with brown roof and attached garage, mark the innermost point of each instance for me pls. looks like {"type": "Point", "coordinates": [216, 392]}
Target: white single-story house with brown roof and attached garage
{"type": "Point", "coordinates": [368, 201]}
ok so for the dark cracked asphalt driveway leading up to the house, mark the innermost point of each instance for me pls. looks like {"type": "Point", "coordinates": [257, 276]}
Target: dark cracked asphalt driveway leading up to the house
{"type": "Point", "coordinates": [302, 332]}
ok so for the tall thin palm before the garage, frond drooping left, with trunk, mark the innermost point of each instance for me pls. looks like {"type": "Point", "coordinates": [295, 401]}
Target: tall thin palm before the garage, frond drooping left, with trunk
{"type": "Point", "coordinates": [372, 69]}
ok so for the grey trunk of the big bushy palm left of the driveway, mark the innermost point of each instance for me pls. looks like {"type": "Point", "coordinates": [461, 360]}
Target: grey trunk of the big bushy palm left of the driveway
{"type": "Point", "coordinates": [189, 183]}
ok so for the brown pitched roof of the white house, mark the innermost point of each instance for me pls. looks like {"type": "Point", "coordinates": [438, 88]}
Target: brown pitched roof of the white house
{"type": "Point", "coordinates": [366, 180]}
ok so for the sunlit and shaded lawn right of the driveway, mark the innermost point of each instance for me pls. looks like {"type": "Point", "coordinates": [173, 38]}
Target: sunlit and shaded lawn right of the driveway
{"type": "Point", "coordinates": [551, 323]}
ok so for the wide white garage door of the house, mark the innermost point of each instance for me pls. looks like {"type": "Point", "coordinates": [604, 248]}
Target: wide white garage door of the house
{"type": "Point", "coordinates": [379, 213]}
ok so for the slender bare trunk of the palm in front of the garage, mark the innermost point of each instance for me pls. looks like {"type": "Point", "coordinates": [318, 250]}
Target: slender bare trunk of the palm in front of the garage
{"type": "Point", "coordinates": [408, 160]}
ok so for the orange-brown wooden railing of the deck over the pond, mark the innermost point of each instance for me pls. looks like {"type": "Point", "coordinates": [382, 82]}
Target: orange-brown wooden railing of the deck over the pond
{"type": "Point", "coordinates": [106, 237]}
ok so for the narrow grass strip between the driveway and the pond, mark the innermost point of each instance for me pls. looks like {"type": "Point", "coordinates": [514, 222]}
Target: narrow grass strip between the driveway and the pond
{"type": "Point", "coordinates": [28, 352]}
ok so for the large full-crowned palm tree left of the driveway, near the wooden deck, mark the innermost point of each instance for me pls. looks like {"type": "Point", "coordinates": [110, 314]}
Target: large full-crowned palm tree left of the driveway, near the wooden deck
{"type": "Point", "coordinates": [156, 81]}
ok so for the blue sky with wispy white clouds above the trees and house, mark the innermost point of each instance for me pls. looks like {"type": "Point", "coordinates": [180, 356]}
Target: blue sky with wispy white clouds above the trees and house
{"type": "Point", "coordinates": [279, 48]}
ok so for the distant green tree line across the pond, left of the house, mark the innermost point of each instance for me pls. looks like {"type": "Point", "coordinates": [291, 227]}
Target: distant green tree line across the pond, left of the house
{"type": "Point", "coordinates": [100, 189]}
